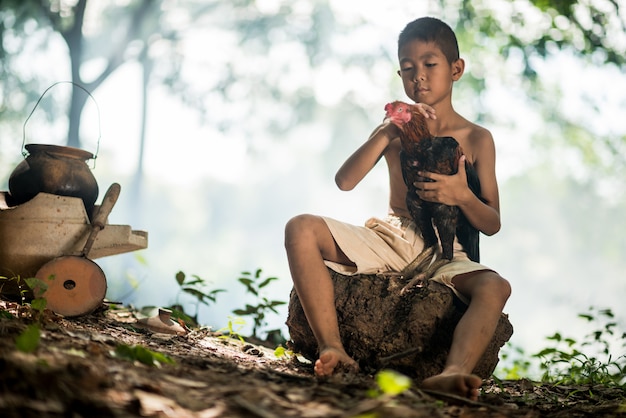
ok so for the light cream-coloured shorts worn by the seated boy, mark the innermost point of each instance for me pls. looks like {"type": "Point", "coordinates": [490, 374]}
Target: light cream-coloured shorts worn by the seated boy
{"type": "Point", "coordinates": [388, 246]}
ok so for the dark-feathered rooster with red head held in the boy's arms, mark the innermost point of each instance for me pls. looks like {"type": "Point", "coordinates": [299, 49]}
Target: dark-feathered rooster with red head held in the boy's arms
{"type": "Point", "coordinates": [423, 152]}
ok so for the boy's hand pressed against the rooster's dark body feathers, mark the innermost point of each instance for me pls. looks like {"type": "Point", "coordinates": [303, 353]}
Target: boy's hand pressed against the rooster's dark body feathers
{"type": "Point", "coordinates": [446, 189]}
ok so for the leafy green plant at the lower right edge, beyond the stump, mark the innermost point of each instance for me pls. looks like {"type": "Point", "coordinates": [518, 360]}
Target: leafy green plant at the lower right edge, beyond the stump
{"type": "Point", "coordinates": [566, 364]}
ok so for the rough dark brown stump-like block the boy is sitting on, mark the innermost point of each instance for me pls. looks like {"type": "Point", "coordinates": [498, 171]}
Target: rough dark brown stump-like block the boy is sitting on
{"type": "Point", "coordinates": [380, 328]}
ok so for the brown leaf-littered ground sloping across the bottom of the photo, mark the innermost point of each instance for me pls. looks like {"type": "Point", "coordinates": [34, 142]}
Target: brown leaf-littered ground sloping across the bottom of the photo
{"type": "Point", "coordinates": [78, 370]}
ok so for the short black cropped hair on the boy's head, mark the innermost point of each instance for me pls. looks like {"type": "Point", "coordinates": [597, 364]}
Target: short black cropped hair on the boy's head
{"type": "Point", "coordinates": [430, 29]}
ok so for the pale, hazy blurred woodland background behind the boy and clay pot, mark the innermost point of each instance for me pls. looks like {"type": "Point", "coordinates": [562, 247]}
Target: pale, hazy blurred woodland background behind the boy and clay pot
{"type": "Point", "coordinates": [222, 120]}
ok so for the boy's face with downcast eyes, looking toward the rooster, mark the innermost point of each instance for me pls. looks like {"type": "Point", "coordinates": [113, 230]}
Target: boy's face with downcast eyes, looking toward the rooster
{"type": "Point", "coordinates": [426, 74]}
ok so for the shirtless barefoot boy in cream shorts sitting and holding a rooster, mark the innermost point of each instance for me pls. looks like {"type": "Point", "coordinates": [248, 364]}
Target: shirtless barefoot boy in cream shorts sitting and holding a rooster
{"type": "Point", "coordinates": [429, 65]}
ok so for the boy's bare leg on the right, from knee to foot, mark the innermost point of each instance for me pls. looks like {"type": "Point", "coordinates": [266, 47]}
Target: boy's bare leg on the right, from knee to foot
{"type": "Point", "coordinates": [488, 293]}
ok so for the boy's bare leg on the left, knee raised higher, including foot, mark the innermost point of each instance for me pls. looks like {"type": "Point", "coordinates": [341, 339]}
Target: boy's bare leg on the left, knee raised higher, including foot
{"type": "Point", "coordinates": [309, 242]}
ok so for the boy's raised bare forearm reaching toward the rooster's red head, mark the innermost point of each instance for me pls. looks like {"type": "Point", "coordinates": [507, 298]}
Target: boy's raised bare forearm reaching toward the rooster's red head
{"type": "Point", "coordinates": [365, 157]}
